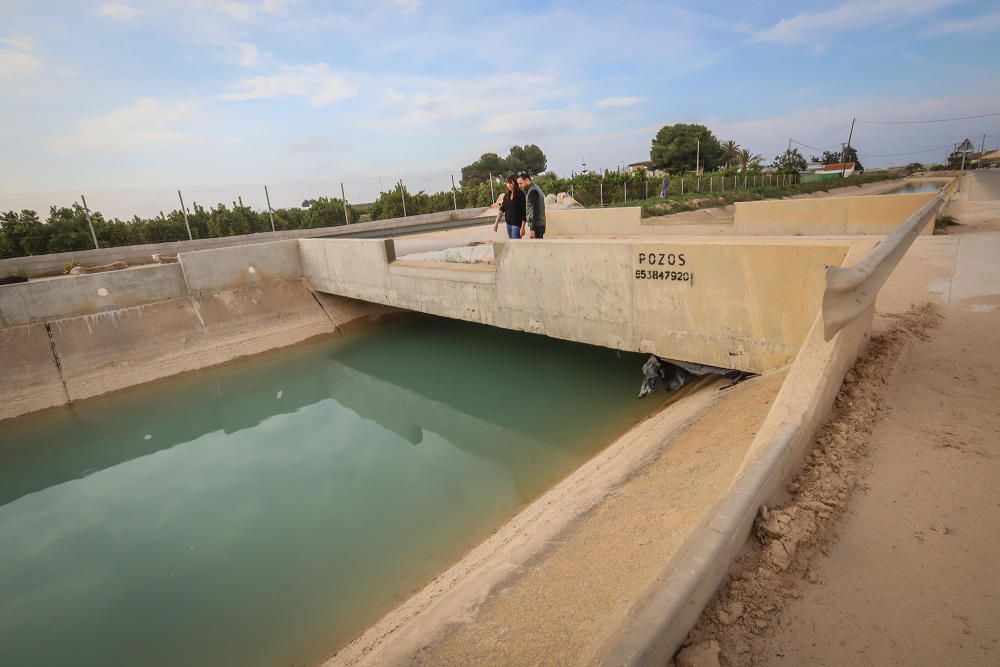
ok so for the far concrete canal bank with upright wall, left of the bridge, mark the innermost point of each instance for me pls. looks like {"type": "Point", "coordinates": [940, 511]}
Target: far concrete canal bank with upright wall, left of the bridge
{"type": "Point", "coordinates": [66, 339]}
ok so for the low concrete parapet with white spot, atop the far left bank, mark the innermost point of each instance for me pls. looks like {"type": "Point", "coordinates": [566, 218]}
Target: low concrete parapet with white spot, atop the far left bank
{"type": "Point", "coordinates": [41, 300]}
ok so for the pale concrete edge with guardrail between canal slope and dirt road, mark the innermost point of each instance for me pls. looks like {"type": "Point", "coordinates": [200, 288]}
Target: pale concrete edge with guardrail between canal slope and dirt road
{"type": "Point", "coordinates": [657, 626]}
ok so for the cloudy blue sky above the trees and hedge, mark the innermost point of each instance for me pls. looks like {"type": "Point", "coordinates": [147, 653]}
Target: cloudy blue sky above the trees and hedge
{"type": "Point", "coordinates": [132, 99]}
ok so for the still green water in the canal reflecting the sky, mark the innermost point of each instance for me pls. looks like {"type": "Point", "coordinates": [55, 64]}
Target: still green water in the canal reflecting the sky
{"type": "Point", "coordinates": [265, 512]}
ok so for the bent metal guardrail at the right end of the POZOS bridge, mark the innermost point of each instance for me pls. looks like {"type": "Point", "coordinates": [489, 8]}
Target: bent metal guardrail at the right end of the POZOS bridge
{"type": "Point", "coordinates": [850, 291]}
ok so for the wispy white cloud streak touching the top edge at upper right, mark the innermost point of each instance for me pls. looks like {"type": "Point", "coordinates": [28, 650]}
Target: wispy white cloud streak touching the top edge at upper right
{"type": "Point", "coordinates": [855, 14]}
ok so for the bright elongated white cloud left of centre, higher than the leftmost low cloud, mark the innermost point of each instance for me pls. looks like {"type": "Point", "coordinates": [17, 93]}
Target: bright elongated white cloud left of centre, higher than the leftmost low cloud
{"type": "Point", "coordinates": [317, 83]}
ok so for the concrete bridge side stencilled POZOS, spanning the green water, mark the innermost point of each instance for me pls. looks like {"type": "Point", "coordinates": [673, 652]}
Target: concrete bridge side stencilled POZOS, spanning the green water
{"type": "Point", "coordinates": [742, 304]}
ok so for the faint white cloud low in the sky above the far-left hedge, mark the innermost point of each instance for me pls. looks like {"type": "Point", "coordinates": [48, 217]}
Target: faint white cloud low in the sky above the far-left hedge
{"type": "Point", "coordinates": [143, 125]}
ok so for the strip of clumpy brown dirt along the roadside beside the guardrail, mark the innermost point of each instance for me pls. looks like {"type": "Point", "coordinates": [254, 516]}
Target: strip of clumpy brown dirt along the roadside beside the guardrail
{"type": "Point", "coordinates": [775, 562]}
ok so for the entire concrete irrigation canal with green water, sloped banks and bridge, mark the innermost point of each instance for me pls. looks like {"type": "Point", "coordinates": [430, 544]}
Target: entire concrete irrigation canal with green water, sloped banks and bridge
{"type": "Point", "coordinates": [447, 462]}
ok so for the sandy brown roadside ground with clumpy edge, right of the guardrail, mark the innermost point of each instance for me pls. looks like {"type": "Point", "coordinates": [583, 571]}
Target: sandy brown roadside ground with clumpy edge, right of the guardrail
{"type": "Point", "coordinates": [884, 553]}
